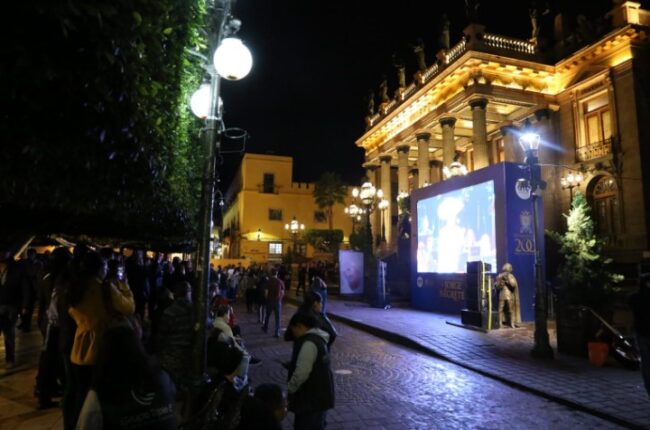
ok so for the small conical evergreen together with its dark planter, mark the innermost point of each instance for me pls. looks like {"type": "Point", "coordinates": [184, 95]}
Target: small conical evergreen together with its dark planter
{"type": "Point", "coordinates": [586, 282]}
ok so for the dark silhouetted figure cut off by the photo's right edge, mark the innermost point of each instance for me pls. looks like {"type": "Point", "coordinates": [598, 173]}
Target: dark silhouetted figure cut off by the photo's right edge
{"type": "Point", "coordinates": [640, 304]}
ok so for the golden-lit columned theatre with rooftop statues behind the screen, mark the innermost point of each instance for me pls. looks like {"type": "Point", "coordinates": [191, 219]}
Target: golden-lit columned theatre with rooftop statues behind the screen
{"type": "Point", "coordinates": [587, 98]}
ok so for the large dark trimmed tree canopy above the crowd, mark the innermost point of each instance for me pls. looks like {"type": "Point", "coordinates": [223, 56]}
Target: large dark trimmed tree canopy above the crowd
{"type": "Point", "coordinates": [99, 137]}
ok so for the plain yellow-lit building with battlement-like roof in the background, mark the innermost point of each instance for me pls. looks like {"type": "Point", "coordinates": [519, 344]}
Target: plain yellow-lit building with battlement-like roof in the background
{"type": "Point", "coordinates": [261, 201]}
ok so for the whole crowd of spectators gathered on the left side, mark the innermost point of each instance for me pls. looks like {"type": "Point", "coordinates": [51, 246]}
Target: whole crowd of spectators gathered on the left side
{"type": "Point", "coordinates": [118, 337]}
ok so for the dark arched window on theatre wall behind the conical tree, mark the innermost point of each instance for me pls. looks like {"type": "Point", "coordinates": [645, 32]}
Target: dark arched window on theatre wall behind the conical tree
{"type": "Point", "coordinates": [605, 208]}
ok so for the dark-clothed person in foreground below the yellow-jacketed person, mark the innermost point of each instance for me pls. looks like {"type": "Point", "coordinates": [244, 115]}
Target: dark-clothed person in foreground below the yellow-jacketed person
{"type": "Point", "coordinates": [129, 389]}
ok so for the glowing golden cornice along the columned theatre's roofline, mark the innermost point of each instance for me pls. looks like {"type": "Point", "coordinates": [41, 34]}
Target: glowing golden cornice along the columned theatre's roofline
{"type": "Point", "coordinates": [475, 68]}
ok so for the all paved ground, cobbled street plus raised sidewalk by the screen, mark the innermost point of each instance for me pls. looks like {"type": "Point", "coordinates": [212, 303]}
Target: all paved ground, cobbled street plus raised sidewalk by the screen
{"type": "Point", "coordinates": [383, 382]}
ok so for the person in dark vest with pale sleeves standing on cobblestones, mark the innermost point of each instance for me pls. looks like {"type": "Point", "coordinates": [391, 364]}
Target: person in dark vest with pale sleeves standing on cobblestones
{"type": "Point", "coordinates": [311, 383]}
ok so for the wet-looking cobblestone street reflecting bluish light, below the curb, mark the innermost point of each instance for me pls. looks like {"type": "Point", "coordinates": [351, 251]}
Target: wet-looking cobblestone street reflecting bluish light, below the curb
{"type": "Point", "coordinates": [380, 385]}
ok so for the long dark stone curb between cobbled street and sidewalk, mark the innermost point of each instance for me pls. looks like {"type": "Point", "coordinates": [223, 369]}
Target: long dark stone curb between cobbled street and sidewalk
{"type": "Point", "coordinates": [412, 344]}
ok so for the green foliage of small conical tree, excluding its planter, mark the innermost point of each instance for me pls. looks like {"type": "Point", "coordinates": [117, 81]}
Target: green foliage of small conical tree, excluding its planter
{"type": "Point", "coordinates": [584, 274]}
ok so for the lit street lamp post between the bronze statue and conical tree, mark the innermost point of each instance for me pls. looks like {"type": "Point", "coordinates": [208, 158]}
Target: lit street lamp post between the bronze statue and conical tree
{"type": "Point", "coordinates": [530, 144]}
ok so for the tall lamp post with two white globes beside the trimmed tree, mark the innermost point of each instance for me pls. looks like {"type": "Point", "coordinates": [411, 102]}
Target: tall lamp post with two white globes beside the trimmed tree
{"type": "Point", "coordinates": [231, 60]}
